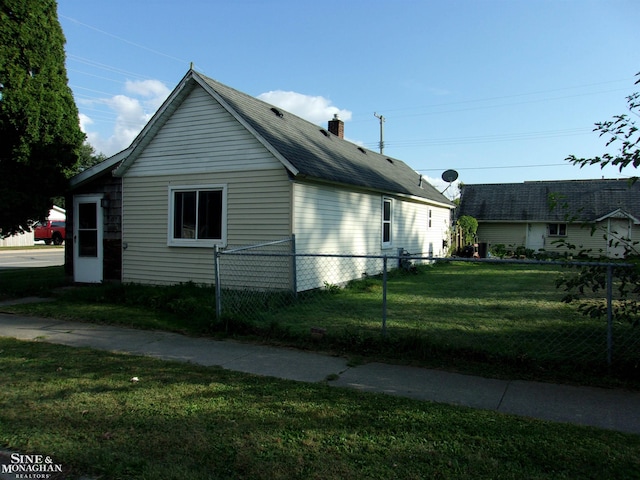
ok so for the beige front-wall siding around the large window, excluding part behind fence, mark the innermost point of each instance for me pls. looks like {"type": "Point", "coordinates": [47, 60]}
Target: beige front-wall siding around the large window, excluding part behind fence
{"type": "Point", "coordinates": [257, 210]}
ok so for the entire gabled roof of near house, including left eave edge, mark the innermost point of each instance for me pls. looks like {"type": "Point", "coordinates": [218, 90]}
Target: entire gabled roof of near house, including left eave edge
{"type": "Point", "coordinates": [308, 151]}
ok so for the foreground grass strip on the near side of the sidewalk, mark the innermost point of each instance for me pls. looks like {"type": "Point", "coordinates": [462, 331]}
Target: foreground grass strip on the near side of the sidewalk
{"type": "Point", "coordinates": [80, 407]}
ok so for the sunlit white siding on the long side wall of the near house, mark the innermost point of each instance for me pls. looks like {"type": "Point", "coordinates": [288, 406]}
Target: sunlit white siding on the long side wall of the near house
{"type": "Point", "coordinates": [332, 220]}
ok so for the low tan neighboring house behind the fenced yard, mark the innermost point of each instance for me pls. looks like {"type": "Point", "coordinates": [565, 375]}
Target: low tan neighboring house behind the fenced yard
{"type": "Point", "coordinates": [536, 215]}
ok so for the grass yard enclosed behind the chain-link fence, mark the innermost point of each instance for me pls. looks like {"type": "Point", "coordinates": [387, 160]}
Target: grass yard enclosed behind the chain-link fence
{"type": "Point", "coordinates": [460, 315]}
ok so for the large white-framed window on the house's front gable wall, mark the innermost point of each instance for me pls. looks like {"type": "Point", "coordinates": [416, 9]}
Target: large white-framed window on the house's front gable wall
{"type": "Point", "coordinates": [197, 215]}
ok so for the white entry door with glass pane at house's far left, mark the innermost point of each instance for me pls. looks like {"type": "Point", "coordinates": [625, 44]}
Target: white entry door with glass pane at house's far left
{"type": "Point", "coordinates": [87, 239]}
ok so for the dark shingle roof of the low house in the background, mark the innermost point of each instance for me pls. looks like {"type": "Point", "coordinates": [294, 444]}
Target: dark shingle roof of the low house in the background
{"type": "Point", "coordinates": [551, 201]}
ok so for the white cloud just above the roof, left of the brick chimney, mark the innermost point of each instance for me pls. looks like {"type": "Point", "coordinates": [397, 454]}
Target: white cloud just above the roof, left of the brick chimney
{"type": "Point", "coordinates": [315, 109]}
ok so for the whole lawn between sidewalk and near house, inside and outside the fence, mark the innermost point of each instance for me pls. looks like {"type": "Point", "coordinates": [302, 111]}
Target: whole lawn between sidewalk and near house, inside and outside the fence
{"type": "Point", "coordinates": [501, 320]}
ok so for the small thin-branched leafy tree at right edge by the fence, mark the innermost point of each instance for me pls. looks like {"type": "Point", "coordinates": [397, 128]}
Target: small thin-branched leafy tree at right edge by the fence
{"type": "Point", "coordinates": [623, 133]}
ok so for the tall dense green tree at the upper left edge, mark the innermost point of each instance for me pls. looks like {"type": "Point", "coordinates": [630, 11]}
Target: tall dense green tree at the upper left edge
{"type": "Point", "coordinates": [39, 129]}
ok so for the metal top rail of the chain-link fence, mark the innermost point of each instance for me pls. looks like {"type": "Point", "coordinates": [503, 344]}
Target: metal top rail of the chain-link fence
{"type": "Point", "coordinates": [509, 261]}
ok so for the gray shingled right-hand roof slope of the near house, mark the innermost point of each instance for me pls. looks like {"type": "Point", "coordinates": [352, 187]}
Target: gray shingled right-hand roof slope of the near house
{"type": "Point", "coordinates": [318, 154]}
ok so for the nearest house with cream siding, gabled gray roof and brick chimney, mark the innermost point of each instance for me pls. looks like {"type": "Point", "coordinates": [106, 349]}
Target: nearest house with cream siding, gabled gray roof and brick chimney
{"type": "Point", "coordinates": [215, 166]}
